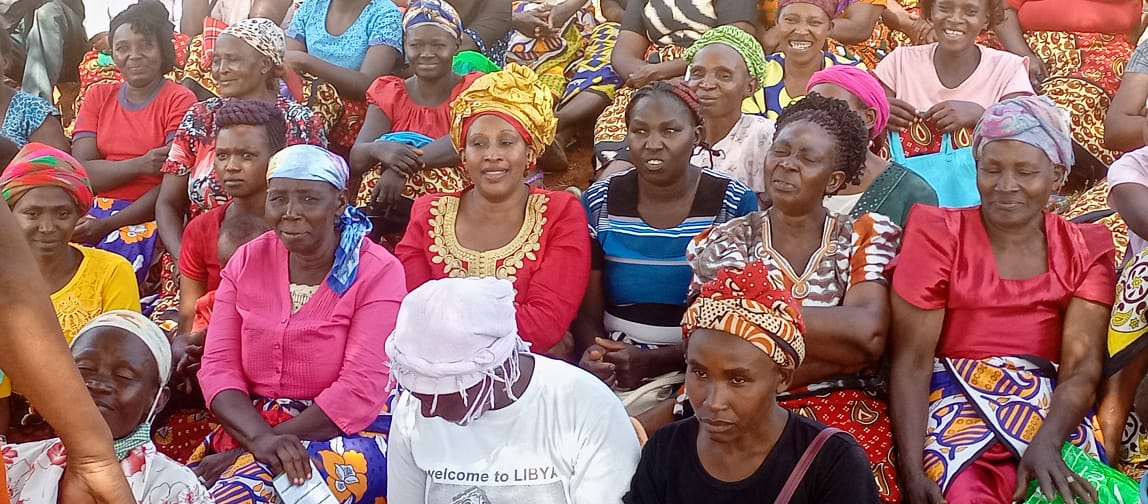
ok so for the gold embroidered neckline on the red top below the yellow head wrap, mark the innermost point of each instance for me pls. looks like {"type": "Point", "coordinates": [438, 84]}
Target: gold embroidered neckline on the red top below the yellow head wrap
{"type": "Point", "coordinates": [460, 261]}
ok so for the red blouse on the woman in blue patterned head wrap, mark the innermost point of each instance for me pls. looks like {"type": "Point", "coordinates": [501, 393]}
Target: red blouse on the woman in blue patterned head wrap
{"type": "Point", "coordinates": [390, 95]}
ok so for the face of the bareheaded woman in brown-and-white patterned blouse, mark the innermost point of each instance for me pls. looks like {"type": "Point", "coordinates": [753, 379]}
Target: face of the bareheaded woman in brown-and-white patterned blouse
{"type": "Point", "coordinates": [801, 168]}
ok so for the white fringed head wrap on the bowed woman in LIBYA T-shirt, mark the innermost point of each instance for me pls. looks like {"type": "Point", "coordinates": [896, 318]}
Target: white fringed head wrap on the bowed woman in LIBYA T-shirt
{"type": "Point", "coordinates": [455, 334]}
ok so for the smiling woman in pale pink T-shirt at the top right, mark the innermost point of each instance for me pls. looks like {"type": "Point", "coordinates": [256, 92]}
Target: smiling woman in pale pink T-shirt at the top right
{"type": "Point", "coordinates": [951, 83]}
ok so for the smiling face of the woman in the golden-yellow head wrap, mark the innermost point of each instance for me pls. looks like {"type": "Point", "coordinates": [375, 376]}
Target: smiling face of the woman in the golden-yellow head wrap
{"type": "Point", "coordinates": [497, 158]}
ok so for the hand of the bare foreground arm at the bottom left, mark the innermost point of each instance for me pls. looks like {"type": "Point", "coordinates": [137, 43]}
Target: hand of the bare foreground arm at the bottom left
{"type": "Point", "coordinates": [95, 482]}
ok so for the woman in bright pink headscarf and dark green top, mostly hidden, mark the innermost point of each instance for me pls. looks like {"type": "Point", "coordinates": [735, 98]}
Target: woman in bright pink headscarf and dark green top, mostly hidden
{"type": "Point", "coordinates": [885, 188]}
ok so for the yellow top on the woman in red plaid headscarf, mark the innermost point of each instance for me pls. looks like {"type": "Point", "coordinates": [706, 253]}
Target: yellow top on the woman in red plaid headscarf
{"type": "Point", "coordinates": [105, 282]}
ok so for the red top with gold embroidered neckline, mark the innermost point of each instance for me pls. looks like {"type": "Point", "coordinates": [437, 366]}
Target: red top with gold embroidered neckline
{"type": "Point", "coordinates": [549, 260]}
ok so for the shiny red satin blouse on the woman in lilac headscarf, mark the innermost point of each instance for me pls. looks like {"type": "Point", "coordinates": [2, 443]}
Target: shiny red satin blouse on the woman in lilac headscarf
{"type": "Point", "coordinates": [948, 263]}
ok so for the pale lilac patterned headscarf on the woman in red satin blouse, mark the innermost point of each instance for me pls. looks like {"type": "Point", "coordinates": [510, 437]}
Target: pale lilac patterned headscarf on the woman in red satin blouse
{"type": "Point", "coordinates": [1036, 121]}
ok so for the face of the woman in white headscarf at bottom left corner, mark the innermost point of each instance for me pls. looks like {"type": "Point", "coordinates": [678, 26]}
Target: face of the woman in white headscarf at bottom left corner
{"type": "Point", "coordinates": [121, 375]}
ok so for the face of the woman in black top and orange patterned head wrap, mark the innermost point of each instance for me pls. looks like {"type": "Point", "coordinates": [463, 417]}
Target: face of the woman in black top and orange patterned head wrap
{"type": "Point", "coordinates": [732, 384]}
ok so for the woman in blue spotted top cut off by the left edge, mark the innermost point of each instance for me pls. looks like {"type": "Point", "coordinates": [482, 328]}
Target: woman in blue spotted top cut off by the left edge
{"type": "Point", "coordinates": [27, 118]}
